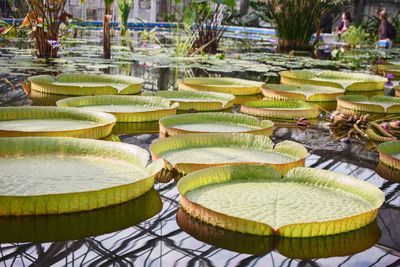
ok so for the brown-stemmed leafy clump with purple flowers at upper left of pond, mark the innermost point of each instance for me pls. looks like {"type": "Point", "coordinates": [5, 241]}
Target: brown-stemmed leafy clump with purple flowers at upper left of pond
{"type": "Point", "coordinates": [44, 20]}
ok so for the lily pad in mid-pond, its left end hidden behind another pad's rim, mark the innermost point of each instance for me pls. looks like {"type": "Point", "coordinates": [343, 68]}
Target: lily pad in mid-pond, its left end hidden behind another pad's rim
{"type": "Point", "coordinates": [201, 101]}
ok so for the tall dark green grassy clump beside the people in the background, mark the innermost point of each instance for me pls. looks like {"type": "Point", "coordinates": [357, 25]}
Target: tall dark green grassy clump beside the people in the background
{"type": "Point", "coordinates": [297, 20]}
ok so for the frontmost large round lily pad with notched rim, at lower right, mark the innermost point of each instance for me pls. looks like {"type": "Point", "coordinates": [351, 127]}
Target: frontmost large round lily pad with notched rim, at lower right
{"type": "Point", "coordinates": [255, 199]}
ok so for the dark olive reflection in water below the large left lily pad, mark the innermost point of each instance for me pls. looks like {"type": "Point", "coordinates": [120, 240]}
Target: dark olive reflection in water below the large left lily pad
{"type": "Point", "coordinates": [79, 225]}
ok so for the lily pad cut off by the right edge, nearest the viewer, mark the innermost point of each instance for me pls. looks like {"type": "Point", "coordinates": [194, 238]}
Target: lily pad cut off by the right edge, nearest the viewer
{"type": "Point", "coordinates": [389, 154]}
